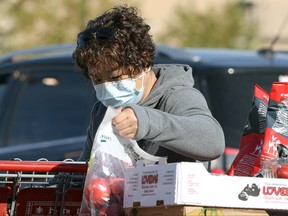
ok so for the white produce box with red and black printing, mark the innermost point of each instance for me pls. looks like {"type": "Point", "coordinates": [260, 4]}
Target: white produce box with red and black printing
{"type": "Point", "coordinates": [191, 184]}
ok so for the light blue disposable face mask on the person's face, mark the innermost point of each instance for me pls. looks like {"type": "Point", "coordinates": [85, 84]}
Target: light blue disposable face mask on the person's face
{"type": "Point", "coordinates": [118, 93]}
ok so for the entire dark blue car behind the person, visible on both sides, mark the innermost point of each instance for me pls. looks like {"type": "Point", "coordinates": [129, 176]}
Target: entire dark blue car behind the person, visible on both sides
{"type": "Point", "coordinates": [45, 102]}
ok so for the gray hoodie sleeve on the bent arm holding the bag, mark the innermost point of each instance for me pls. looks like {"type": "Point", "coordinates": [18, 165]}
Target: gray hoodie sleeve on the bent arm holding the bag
{"type": "Point", "coordinates": [183, 124]}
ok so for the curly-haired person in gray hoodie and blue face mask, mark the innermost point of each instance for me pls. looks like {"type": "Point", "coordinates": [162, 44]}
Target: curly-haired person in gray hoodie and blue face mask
{"type": "Point", "coordinates": [158, 105]}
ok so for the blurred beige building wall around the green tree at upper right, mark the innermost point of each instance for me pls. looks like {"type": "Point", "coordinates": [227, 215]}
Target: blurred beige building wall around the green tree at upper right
{"type": "Point", "coordinates": [270, 13]}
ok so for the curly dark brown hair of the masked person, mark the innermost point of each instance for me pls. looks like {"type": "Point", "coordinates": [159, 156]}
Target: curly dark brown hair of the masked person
{"type": "Point", "coordinates": [116, 40]}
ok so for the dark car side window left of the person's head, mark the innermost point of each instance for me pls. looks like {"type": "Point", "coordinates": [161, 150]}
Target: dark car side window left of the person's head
{"type": "Point", "coordinates": [52, 105]}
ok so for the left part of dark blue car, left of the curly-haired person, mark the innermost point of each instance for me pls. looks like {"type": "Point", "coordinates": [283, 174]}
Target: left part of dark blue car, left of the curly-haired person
{"type": "Point", "coordinates": [44, 104]}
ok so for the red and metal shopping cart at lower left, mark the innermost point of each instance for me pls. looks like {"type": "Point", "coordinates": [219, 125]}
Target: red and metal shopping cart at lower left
{"type": "Point", "coordinates": [41, 188]}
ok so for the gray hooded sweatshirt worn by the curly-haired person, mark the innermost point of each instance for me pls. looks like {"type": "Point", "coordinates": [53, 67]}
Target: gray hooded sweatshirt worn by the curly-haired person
{"type": "Point", "coordinates": [173, 121]}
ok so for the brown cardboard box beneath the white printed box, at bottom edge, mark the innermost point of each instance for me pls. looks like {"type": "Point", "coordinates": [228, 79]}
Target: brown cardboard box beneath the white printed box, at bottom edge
{"type": "Point", "coordinates": [194, 211]}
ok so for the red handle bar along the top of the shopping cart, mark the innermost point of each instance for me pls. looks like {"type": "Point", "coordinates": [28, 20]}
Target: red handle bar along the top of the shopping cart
{"type": "Point", "coordinates": [43, 166]}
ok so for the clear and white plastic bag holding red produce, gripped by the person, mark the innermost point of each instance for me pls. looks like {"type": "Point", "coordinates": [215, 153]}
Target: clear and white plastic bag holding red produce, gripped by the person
{"type": "Point", "coordinates": [110, 156]}
